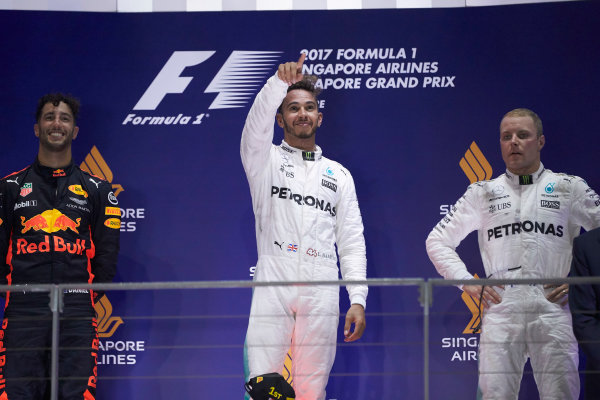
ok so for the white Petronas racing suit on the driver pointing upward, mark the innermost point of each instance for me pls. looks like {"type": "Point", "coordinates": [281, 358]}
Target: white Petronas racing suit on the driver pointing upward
{"type": "Point", "coordinates": [304, 204]}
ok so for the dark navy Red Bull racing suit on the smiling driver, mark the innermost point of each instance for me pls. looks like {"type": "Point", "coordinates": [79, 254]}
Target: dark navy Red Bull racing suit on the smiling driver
{"type": "Point", "coordinates": [56, 226]}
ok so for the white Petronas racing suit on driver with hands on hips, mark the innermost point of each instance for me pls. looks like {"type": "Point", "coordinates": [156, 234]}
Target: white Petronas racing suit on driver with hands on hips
{"type": "Point", "coordinates": [526, 227]}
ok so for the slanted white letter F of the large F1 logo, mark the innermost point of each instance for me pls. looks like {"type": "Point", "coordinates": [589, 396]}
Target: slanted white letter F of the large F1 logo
{"type": "Point", "coordinates": [169, 80]}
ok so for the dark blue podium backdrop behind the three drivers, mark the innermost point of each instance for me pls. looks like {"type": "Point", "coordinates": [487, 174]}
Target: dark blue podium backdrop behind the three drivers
{"type": "Point", "coordinates": [408, 92]}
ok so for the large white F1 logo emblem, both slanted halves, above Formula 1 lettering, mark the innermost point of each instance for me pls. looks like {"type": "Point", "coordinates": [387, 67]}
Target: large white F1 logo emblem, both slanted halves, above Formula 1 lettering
{"type": "Point", "coordinates": [236, 82]}
